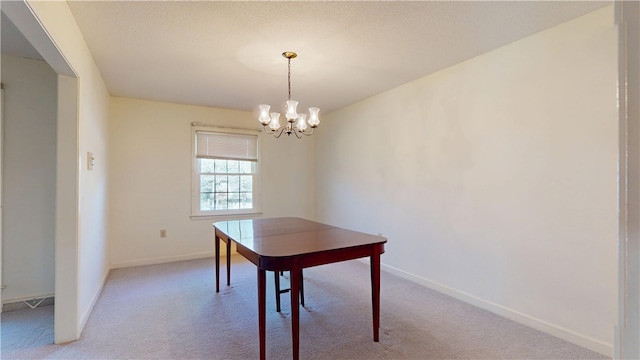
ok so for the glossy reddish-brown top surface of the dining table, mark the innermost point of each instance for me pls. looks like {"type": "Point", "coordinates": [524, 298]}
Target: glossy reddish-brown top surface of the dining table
{"type": "Point", "coordinates": [290, 236]}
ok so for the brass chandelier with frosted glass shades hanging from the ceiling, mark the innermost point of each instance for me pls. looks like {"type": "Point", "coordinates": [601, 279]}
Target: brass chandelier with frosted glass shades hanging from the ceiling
{"type": "Point", "coordinates": [296, 123]}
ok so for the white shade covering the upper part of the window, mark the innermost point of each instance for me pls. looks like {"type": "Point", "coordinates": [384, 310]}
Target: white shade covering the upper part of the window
{"type": "Point", "coordinates": [214, 145]}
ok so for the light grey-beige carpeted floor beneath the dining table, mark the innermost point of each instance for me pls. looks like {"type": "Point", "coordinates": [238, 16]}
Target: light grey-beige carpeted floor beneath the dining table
{"type": "Point", "coordinates": [171, 311]}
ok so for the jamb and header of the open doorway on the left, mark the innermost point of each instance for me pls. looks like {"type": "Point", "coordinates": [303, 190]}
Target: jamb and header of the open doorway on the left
{"type": "Point", "coordinates": [66, 306]}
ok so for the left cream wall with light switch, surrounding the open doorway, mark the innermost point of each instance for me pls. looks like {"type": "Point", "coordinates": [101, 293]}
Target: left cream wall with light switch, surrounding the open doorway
{"type": "Point", "coordinates": [81, 254]}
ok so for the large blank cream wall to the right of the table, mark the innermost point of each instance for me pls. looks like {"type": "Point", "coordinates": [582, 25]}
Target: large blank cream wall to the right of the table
{"type": "Point", "coordinates": [494, 180]}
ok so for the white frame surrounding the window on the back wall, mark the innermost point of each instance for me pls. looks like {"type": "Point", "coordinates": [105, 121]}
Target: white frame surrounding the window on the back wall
{"type": "Point", "coordinates": [195, 177]}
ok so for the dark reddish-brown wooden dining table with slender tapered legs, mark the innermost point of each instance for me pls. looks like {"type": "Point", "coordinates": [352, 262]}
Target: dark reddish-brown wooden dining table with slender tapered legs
{"type": "Point", "coordinates": [291, 244]}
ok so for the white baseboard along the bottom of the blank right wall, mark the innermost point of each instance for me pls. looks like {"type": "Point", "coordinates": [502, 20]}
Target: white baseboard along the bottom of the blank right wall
{"type": "Point", "coordinates": [524, 319]}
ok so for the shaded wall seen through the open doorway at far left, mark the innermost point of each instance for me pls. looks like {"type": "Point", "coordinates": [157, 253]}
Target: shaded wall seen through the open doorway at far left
{"type": "Point", "coordinates": [29, 174]}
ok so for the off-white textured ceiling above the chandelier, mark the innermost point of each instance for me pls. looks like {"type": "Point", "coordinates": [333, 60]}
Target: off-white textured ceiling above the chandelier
{"type": "Point", "coordinates": [228, 54]}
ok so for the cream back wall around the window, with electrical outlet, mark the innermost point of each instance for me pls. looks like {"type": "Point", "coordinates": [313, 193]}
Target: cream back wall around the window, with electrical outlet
{"type": "Point", "coordinates": [150, 179]}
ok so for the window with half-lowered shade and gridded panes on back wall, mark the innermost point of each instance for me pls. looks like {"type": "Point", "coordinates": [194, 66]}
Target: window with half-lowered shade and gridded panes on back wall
{"type": "Point", "coordinates": [225, 176]}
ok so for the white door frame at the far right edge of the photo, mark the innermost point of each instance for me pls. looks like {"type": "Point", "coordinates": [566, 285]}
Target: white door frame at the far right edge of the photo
{"type": "Point", "coordinates": [627, 332]}
